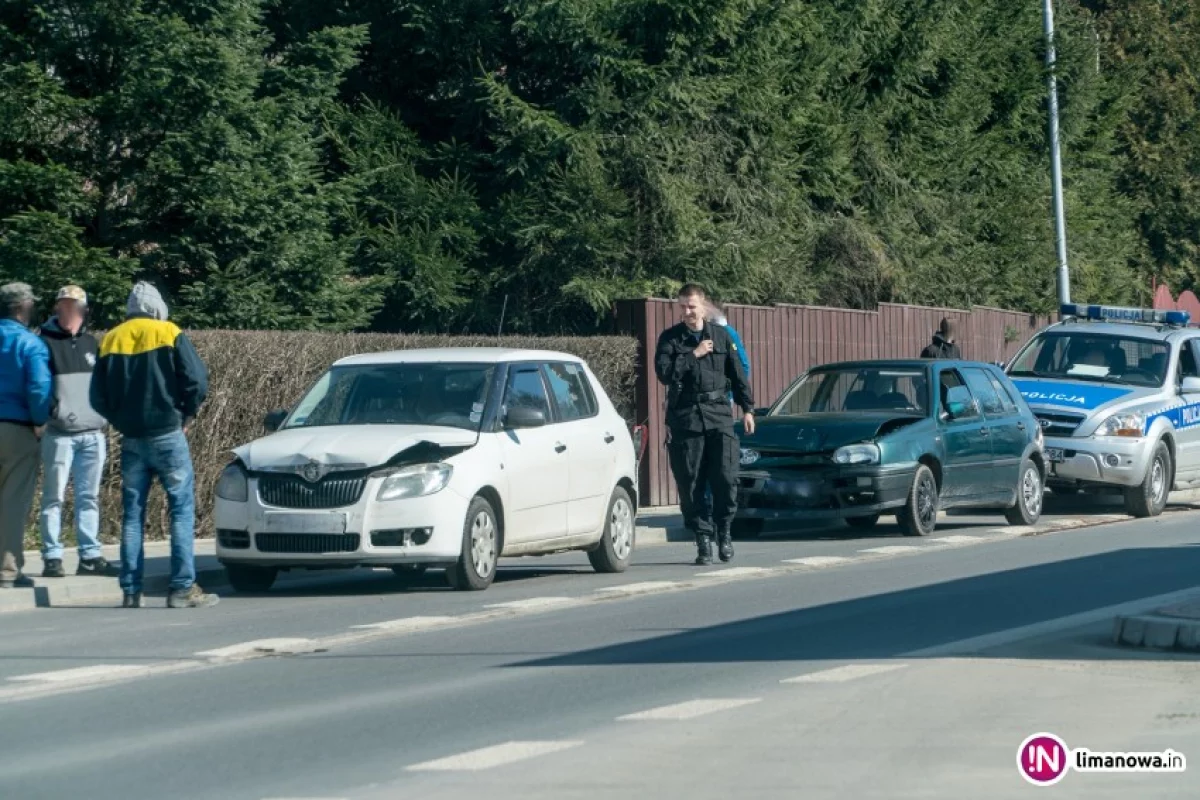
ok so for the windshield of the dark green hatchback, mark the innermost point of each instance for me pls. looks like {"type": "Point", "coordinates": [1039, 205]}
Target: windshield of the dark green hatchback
{"type": "Point", "coordinates": [850, 390]}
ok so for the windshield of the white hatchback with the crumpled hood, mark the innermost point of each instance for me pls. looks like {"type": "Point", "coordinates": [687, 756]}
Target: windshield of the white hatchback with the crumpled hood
{"type": "Point", "coordinates": [452, 395]}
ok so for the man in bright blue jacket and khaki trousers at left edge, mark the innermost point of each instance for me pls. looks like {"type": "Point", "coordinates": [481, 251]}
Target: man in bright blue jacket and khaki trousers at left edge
{"type": "Point", "coordinates": [26, 393]}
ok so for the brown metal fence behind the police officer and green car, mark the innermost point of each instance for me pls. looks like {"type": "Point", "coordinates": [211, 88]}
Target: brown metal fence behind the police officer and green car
{"type": "Point", "coordinates": [785, 341]}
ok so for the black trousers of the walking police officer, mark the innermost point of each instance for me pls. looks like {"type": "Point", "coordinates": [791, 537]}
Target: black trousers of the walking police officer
{"type": "Point", "coordinates": [706, 461]}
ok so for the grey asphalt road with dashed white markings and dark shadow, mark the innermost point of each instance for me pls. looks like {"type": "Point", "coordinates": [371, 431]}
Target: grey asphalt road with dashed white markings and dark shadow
{"type": "Point", "coordinates": [664, 682]}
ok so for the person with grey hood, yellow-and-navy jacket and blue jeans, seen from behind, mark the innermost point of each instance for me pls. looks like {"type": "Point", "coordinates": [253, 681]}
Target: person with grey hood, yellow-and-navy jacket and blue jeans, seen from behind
{"type": "Point", "coordinates": [149, 384]}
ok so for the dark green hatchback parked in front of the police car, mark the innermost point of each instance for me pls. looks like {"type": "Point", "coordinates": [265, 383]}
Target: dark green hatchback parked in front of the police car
{"type": "Point", "coordinates": [910, 438]}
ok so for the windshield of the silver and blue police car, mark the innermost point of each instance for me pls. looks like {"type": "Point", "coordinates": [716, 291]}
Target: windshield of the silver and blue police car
{"type": "Point", "coordinates": [1094, 358]}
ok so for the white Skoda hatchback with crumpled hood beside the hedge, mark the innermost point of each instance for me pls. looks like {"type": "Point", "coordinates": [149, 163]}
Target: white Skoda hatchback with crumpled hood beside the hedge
{"type": "Point", "coordinates": [434, 459]}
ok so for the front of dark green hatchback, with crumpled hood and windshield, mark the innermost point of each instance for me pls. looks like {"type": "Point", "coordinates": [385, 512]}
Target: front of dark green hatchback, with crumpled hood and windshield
{"type": "Point", "coordinates": [843, 443]}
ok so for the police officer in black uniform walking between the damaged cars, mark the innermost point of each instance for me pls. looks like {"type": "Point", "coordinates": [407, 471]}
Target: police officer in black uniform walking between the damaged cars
{"type": "Point", "coordinates": [699, 364]}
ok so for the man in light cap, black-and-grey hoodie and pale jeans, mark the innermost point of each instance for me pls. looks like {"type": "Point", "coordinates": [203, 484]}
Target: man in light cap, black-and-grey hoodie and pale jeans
{"type": "Point", "coordinates": [75, 447]}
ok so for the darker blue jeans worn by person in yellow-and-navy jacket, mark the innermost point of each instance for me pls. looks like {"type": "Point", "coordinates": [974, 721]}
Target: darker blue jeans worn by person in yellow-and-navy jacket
{"type": "Point", "coordinates": [170, 460]}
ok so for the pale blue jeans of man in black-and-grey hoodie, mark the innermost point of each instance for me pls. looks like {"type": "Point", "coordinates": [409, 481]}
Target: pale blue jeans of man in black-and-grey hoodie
{"type": "Point", "coordinates": [77, 458]}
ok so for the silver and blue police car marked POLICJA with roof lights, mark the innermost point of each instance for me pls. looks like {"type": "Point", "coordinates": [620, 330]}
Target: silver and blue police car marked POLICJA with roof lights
{"type": "Point", "coordinates": [1118, 395]}
